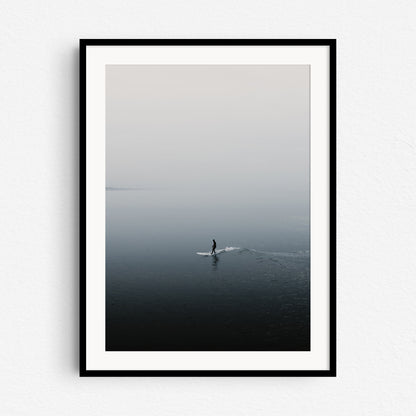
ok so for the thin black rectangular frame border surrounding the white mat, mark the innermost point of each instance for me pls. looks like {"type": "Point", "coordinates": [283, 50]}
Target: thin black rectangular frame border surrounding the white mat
{"type": "Point", "coordinates": [331, 43]}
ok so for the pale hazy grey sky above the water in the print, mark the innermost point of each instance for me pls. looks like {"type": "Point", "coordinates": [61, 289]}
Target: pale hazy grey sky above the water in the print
{"type": "Point", "coordinates": [222, 128]}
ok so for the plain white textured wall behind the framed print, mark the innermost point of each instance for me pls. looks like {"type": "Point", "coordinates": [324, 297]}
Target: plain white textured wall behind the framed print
{"type": "Point", "coordinates": [376, 200]}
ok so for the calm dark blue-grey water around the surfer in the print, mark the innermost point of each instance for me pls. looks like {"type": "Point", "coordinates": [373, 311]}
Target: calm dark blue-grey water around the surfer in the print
{"type": "Point", "coordinates": [161, 295]}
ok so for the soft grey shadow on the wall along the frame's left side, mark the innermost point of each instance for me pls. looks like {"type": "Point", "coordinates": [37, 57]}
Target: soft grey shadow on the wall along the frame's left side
{"type": "Point", "coordinates": [66, 102]}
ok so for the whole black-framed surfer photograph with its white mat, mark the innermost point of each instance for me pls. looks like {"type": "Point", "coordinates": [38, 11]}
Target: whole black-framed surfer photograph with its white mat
{"type": "Point", "coordinates": [207, 207]}
